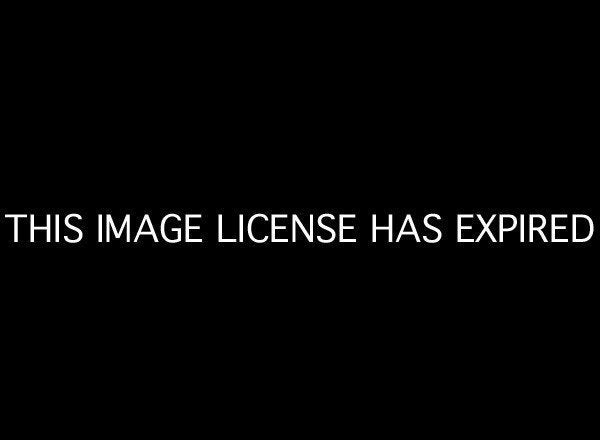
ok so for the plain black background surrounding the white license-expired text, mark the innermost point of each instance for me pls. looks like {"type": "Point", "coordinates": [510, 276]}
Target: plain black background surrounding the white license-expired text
{"type": "Point", "coordinates": [368, 113]}
